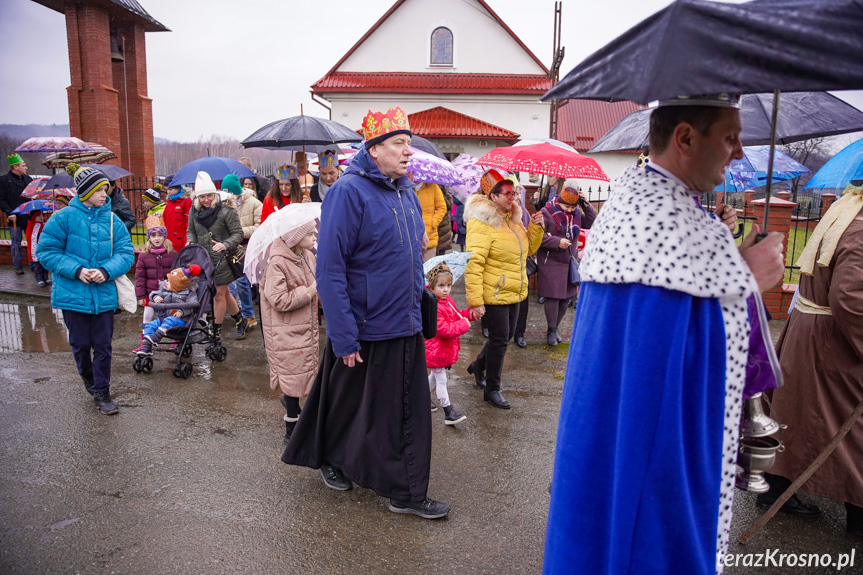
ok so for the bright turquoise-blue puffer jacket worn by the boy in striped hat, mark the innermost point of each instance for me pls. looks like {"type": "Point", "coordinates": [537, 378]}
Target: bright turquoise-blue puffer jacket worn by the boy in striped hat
{"type": "Point", "coordinates": [78, 236]}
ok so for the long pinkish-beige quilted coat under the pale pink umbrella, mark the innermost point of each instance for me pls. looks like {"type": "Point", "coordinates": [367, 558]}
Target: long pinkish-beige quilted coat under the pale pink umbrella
{"type": "Point", "coordinates": [289, 314]}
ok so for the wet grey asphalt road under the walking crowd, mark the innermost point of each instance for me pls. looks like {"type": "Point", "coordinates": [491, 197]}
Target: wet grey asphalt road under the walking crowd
{"type": "Point", "coordinates": [187, 478]}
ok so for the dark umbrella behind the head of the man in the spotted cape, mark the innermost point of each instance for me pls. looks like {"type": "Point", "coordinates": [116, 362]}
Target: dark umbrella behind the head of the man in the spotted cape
{"type": "Point", "coordinates": [803, 115]}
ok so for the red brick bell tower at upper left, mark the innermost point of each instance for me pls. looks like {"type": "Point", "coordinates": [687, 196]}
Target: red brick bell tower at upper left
{"type": "Point", "coordinates": [108, 102]}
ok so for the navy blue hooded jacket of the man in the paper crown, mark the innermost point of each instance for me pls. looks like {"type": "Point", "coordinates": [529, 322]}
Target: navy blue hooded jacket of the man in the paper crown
{"type": "Point", "coordinates": [369, 274]}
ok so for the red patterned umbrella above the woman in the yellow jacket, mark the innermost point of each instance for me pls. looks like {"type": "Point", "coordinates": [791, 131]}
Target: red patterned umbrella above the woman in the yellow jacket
{"type": "Point", "coordinates": [544, 159]}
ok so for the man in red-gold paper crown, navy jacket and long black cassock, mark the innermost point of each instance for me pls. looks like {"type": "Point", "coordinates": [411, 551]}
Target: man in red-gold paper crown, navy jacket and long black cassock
{"type": "Point", "coordinates": [367, 417]}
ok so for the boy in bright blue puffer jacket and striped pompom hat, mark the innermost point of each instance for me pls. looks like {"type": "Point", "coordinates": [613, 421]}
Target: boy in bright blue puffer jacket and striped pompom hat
{"type": "Point", "coordinates": [77, 248]}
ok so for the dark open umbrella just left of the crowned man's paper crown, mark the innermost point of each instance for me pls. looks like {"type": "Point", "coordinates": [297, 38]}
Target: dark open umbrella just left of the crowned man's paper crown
{"type": "Point", "coordinates": [300, 132]}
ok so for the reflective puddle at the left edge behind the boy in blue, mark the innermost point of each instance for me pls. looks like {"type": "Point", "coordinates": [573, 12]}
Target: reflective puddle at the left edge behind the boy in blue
{"type": "Point", "coordinates": [40, 329]}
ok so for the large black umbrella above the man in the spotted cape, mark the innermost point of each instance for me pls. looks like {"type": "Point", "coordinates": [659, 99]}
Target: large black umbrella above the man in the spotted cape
{"type": "Point", "coordinates": [698, 47]}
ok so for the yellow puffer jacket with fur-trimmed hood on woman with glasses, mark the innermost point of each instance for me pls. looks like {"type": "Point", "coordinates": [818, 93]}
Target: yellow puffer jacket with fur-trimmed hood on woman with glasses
{"type": "Point", "coordinates": [496, 274]}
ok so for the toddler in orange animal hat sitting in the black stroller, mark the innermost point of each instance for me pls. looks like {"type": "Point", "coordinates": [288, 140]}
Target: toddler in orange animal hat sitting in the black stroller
{"type": "Point", "coordinates": [178, 288]}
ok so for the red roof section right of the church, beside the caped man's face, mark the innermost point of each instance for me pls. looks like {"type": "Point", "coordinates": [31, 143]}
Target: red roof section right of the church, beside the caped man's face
{"type": "Point", "coordinates": [581, 123]}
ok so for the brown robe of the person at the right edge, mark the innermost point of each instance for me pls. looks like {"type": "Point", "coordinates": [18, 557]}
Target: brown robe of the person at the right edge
{"type": "Point", "coordinates": [822, 362]}
